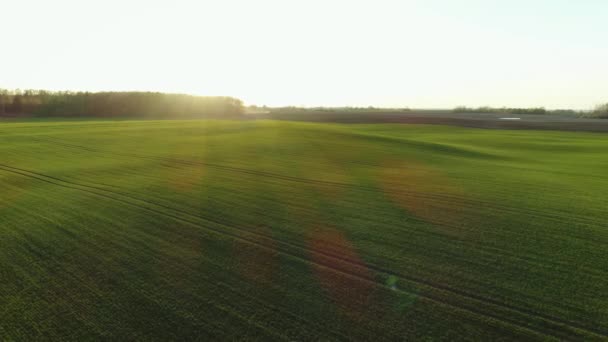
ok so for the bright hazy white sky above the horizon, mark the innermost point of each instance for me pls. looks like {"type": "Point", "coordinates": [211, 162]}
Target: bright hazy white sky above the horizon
{"type": "Point", "coordinates": [416, 53]}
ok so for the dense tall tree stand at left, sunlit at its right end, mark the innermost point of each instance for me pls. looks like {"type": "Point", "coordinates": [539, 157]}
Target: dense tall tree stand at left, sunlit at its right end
{"type": "Point", "coordinates": [42, 103]}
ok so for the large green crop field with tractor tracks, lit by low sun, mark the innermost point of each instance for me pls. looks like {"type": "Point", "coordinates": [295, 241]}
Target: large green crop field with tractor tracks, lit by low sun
{"type": "Point", "coordinates": [268, 230]}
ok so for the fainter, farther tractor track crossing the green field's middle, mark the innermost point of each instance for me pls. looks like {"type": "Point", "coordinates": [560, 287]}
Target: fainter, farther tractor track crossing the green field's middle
{"type": "Point", "coordinates": [433, 197]}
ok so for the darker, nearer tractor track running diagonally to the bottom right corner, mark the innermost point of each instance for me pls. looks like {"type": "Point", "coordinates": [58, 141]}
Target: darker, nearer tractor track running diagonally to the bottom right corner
{"type": "Point", "coordinates": [551, 326]}
